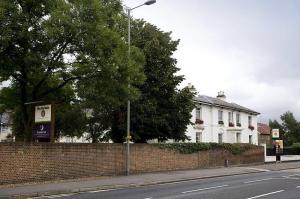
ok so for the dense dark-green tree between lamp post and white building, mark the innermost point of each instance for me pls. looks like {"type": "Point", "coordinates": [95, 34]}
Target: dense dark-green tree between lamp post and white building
{"type": "Point", "coordinates": [163, 111]}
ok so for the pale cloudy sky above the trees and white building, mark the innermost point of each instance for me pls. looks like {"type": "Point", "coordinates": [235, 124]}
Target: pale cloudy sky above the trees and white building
{"type": "Point", "coordinates": [250, 49]}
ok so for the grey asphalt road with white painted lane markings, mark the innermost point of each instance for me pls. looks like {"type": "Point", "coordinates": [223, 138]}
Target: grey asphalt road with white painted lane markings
{"type": "Point", "coordinates": [266, 185]}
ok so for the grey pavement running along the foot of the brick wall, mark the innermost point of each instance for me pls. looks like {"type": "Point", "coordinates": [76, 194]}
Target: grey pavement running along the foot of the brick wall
{"type": "Point", "coordinates": [82, 185]}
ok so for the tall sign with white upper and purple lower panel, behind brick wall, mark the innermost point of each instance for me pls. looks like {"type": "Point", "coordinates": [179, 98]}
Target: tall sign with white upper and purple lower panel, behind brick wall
{"type": "Point", "coordinates": [44, 121]}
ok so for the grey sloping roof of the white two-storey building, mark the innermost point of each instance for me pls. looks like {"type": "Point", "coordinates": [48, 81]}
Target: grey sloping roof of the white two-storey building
{"type": "Point", "coordinates": [203, 99]}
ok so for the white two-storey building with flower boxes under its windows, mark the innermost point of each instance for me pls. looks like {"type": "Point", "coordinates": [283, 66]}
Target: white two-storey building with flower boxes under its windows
{"type": "Point", "coordinates": [216, 120]}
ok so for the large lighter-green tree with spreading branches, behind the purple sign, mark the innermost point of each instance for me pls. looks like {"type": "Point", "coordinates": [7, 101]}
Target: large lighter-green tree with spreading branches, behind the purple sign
{"type": "Point", "coordinates": [48, 46]}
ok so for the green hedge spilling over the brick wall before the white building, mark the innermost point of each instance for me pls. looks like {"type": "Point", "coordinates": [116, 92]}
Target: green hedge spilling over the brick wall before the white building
{"type": "Point", "coordinates": [188, 148]}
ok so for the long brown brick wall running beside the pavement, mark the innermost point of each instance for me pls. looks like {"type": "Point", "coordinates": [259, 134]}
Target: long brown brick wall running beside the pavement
{"type": "Point", "coordinates": [34, 162]}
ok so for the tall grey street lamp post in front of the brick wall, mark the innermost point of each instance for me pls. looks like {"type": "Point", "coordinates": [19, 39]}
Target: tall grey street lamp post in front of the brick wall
{"type": "Point", "coordinates": [149, 2]}
